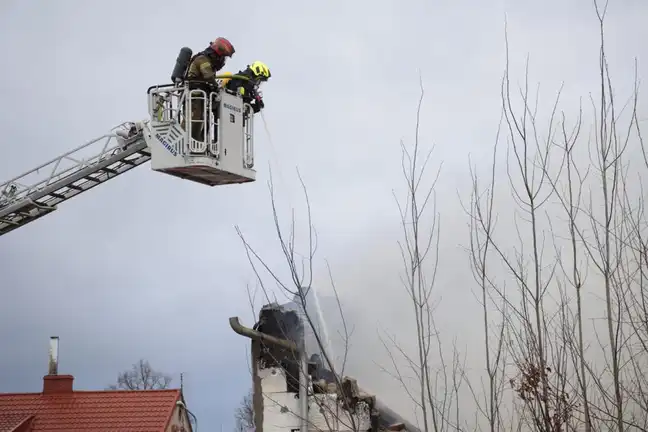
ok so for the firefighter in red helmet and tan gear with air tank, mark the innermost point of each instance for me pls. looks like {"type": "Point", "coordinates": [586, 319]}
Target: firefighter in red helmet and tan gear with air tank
{"type": "Point", "coordinates": [202, 72]}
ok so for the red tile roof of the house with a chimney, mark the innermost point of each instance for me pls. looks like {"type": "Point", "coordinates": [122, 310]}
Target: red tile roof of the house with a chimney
{"type": "Point", "coordinates": [112, 410]}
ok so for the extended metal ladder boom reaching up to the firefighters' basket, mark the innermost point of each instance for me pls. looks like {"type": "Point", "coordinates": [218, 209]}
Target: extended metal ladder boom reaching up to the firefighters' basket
{"type": "Point", "coordinates": [38, 192]}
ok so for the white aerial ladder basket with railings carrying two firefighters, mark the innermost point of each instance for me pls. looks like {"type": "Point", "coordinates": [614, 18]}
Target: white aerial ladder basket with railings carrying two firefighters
{"type": "Point", "coordinates": [215, 148]}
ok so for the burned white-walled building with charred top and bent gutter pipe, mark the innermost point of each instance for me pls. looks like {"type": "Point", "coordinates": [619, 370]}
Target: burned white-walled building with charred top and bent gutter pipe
{"type": "Point", "coordinates": [295, 384]}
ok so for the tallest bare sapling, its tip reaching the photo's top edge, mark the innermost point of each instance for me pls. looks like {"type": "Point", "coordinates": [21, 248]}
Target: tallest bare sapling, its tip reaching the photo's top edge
{"type": "Point", "coordinates": [602, 249]}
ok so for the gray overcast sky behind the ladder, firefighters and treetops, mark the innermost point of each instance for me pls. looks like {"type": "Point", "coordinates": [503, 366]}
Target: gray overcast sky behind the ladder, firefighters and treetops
{"type": "Point", "coordinates": [151, 266]}
